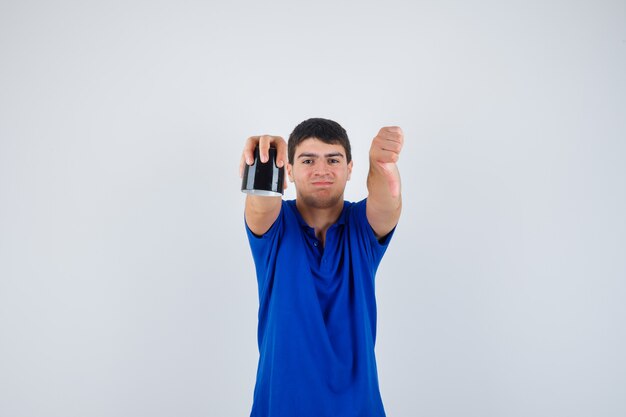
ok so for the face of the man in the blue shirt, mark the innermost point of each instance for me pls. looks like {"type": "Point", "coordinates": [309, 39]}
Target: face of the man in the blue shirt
{"type": "Point", "coordinates": [320, 172]}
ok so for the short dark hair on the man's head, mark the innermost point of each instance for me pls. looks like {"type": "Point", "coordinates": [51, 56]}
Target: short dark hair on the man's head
{"type": "Point", "coordinates": [327, 131]}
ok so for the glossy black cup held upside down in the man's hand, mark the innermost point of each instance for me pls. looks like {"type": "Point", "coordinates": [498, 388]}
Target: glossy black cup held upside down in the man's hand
{"type": "Point", "coordinates": [263, 178]}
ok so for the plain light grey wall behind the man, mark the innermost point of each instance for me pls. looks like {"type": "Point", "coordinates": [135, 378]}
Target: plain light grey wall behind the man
{"type": "Point", "coordinates": [126, 282]}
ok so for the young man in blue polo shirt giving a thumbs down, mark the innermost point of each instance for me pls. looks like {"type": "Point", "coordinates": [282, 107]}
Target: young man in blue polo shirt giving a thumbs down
{"type": "Point", "coordinates": [316, 259]}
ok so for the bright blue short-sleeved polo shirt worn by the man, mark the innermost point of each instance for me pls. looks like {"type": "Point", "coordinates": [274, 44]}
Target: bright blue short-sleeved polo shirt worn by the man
{"type": "Point", "coordinates": [317, 317]}
